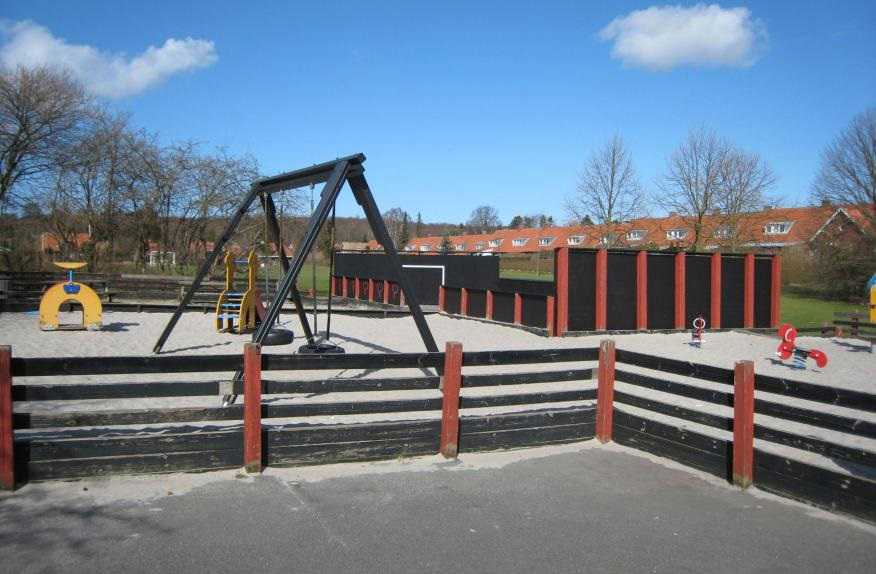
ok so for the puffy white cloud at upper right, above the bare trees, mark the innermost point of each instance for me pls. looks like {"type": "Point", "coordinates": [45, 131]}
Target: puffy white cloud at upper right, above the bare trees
{"type": "Point", "coordinates": [665, 37]}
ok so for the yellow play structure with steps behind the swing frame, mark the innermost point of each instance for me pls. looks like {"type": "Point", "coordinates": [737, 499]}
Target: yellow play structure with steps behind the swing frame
{"type": "Point", "coordinates": [240, 311]}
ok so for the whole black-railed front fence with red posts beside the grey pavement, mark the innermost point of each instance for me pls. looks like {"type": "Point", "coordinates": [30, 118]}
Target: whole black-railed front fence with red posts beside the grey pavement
{"type": "Point", "coordinates": [75, 444]}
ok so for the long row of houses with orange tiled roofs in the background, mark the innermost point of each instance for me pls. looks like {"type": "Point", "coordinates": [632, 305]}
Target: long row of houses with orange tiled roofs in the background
{"type": "Point", "coordinates": [770, 229]}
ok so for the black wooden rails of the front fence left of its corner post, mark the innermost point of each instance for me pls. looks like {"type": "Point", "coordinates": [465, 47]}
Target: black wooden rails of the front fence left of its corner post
{"type": "Point", "coordinates": [77, 443]}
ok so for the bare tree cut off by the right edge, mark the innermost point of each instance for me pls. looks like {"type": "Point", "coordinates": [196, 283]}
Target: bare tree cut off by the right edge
{"type": "Point", "coordinates": [848, 167]}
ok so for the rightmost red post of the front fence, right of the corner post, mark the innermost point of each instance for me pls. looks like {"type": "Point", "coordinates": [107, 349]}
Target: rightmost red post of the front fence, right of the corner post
{"type": "Point", "coordinates": [743, 423]}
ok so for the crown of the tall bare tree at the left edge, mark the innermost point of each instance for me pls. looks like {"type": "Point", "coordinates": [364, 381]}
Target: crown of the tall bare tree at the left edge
{"type": "Point", "coordinates": [41, 112]}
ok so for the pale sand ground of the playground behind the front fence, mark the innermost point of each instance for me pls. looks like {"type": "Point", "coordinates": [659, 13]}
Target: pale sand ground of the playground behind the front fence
{"type": "Point", "coordinates": [851, 364]}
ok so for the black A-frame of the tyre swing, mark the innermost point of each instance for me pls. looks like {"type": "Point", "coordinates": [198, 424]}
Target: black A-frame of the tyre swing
{"type": "Point", "coordinates": [334, 173]}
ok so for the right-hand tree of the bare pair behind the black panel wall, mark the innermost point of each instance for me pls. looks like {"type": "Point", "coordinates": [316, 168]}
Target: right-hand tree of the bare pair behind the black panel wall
{"type": "Point", "coordinates": [746, 181]}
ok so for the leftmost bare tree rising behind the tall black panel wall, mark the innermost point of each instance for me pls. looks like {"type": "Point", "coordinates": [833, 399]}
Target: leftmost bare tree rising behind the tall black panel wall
{"type": "Point", "coordinates": [608, 190]}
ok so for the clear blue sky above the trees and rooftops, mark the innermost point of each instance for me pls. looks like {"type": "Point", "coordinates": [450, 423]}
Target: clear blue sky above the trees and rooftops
{"type": "Point", "coordinates": [460, 104]}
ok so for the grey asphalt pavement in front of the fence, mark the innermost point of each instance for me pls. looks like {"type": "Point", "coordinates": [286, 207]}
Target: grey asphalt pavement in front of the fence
{"type": "Point", "coordinates": [599, 509]}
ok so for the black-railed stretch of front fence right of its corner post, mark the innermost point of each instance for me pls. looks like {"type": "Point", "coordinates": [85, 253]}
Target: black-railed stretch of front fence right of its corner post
{"type": "Point", "coordinates": [792, 475]}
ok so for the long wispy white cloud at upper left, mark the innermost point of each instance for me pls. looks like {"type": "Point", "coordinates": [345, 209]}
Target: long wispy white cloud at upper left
{"type": "Point", "coordinates": [112, 75]}
